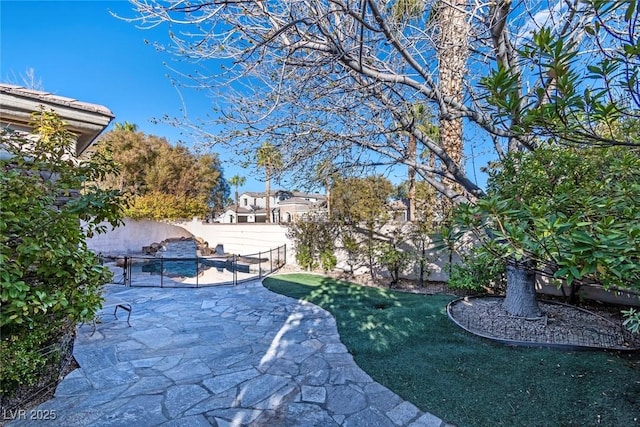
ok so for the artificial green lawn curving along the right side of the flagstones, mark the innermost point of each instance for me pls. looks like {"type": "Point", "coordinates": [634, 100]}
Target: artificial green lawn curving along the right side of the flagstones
{"type": "Point", "coordinates": [407, 343]}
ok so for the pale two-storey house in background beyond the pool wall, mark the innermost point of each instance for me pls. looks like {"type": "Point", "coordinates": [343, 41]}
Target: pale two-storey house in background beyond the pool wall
{"type": "Point", "coordinates": [285, 207]}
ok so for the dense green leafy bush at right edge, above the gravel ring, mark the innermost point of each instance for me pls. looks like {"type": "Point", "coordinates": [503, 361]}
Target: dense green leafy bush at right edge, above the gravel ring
{"type": "Point", "coordinates": [573, 211]}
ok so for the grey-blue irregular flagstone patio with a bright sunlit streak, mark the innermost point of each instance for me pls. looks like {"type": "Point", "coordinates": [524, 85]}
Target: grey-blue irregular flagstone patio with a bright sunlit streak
{"type": "Point", "coordinates": [225, 356]}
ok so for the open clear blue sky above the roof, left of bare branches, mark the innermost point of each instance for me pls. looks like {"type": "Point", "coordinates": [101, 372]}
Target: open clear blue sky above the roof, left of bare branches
{"type": "Point", "coordinates": [78, 50]}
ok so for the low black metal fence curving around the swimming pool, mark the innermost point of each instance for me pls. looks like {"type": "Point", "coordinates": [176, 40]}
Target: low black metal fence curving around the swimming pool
{"type": "Point", "coordinates": [194, 272]}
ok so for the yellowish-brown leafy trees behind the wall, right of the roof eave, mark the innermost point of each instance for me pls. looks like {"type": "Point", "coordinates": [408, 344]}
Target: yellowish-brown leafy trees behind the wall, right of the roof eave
{"type": "Point", "coordinates": [158, 175]}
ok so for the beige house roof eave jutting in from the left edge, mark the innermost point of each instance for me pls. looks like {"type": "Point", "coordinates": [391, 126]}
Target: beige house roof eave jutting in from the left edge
{"type": "Point", "coordinates": [85, 120]}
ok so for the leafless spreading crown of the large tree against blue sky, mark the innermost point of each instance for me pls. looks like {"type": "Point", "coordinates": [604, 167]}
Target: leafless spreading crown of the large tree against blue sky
{"type": "Point", "coordinates": [333, 79]}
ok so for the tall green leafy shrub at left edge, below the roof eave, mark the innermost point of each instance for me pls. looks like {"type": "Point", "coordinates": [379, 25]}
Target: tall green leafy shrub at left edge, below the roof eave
{"type": "Point", "coordinates": [48, 277]}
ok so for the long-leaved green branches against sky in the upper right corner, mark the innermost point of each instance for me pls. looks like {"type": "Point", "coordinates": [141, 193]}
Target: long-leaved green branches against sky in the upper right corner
{"type": "Point", "coordinates": [588, 87]}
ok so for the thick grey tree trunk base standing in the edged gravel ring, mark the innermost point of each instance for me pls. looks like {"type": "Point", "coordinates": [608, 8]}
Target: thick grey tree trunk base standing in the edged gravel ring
{"type": "Point", "coordinates": [521, 297]}
